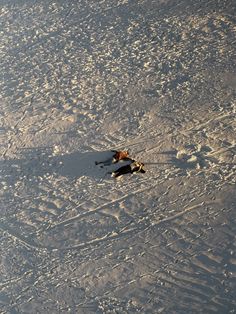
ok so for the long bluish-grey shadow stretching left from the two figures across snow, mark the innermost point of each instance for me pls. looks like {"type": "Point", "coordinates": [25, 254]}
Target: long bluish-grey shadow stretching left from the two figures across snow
{"type": "Point", "coordinates": [40, 162]}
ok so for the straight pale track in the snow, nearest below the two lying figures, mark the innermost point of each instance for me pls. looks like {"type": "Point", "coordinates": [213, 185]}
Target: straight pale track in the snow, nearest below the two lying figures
{"type": "Point", "coordinates": [96, 210]}
